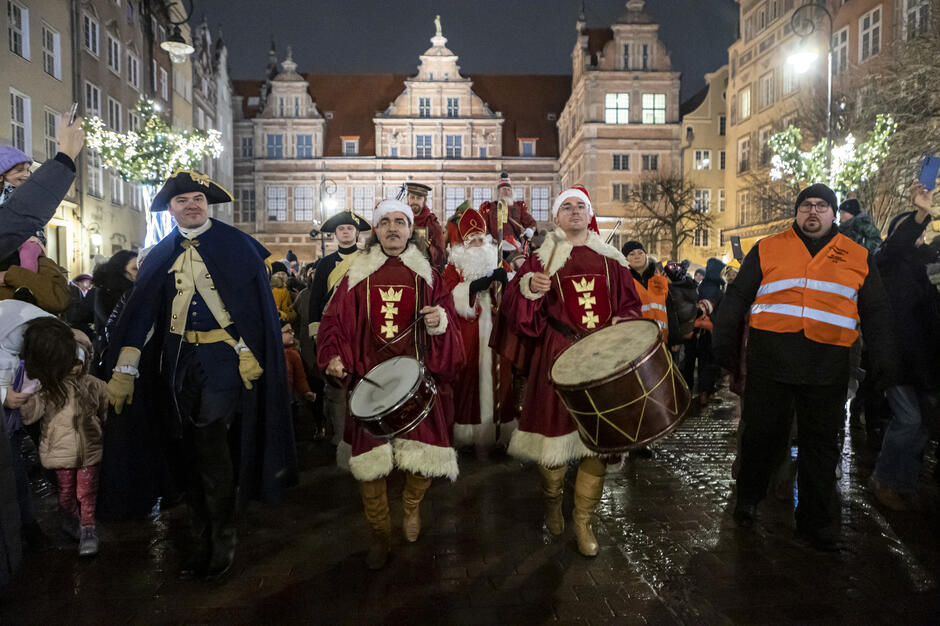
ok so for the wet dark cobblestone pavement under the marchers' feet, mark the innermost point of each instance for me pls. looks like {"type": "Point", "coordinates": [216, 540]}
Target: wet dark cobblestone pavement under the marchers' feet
{"type": "Point", "coordinates": [670, 553]}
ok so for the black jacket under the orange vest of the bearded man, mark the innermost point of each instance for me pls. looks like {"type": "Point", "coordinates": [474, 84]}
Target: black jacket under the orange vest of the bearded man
{"type": "Point", "coordinates": [791, 357]}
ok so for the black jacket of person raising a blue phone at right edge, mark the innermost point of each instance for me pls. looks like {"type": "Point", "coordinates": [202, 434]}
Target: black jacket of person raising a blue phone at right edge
{"type": "Point", "coordinates": [915, 302]}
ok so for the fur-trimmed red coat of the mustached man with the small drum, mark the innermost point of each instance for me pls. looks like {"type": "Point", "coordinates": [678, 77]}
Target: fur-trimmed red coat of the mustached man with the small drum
{"type": "Point", "coordinates": [356, 325]}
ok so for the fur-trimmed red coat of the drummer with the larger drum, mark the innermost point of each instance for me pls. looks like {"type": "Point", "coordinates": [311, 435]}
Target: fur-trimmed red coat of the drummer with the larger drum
{"type": "Point", "coordinates": [591, 284]}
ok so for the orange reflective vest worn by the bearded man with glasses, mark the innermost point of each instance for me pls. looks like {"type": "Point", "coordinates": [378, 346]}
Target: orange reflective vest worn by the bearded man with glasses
{"type": "Point", "coordinates": [818, 295]}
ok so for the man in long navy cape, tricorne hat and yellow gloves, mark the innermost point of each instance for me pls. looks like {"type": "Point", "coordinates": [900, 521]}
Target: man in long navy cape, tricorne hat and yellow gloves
{"type": "Point", "coordinates": [204, 291]}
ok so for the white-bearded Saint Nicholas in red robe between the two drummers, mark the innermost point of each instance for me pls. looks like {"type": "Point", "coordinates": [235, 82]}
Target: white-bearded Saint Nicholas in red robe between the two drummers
{"type": "Point", "coordinates": [475, 280]}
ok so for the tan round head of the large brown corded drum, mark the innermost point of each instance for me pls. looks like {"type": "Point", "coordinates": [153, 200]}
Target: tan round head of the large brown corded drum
{"type": "Point", "coordinates": [605, 352]}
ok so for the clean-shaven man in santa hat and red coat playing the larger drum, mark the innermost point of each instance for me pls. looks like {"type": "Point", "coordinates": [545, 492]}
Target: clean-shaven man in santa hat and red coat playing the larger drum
{"type": "Point", "coordinates": [590, 288]}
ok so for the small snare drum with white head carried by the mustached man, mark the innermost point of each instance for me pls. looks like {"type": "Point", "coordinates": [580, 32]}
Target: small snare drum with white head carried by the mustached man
{"type": "Point", "coordinates": [398, 394]}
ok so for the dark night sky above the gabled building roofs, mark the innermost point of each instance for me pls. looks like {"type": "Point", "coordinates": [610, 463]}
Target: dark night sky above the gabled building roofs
{"type": "Point", "coordinates": [489, 36]}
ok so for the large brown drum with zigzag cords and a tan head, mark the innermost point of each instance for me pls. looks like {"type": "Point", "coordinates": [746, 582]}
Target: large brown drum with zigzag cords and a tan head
{"type": "Point", "coordinates": [621, 386]}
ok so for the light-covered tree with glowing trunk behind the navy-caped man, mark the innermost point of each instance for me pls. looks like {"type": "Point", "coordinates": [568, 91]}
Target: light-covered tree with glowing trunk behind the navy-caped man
{"type": "Point", "coordinates": [149, 155]}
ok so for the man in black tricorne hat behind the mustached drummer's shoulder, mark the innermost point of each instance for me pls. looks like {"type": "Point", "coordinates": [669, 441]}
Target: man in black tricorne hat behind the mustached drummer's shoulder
{"type": "Point", "coordinates": [346, 227]}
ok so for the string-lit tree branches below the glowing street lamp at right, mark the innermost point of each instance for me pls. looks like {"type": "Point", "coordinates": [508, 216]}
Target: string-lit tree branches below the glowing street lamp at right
{"type": "Point", "coordinates": [852, 163]}
